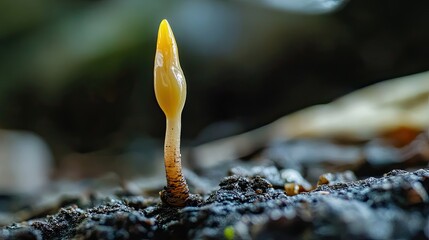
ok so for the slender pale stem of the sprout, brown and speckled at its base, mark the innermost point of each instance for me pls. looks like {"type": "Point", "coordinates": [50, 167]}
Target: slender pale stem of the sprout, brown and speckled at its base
{"type": "Point", "coordinates": [177, 191]}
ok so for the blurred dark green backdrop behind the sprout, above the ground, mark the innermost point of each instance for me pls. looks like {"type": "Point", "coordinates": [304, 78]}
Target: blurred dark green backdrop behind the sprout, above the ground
{"type": "Point", "coordinates": [76, 80]}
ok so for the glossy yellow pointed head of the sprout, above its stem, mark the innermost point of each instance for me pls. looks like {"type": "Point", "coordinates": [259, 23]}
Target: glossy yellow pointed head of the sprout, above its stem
{"type": "Point", "coordinates": [170, 84]}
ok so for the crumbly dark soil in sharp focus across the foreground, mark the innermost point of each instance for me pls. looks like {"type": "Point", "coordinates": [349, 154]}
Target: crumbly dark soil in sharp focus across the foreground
{"type": "Point", "coordinates": [395, 206]}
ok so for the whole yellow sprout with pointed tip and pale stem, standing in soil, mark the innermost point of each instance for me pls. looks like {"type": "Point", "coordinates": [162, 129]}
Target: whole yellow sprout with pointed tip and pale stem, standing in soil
{"type": "Point", "coordinates": [170, 91]}
